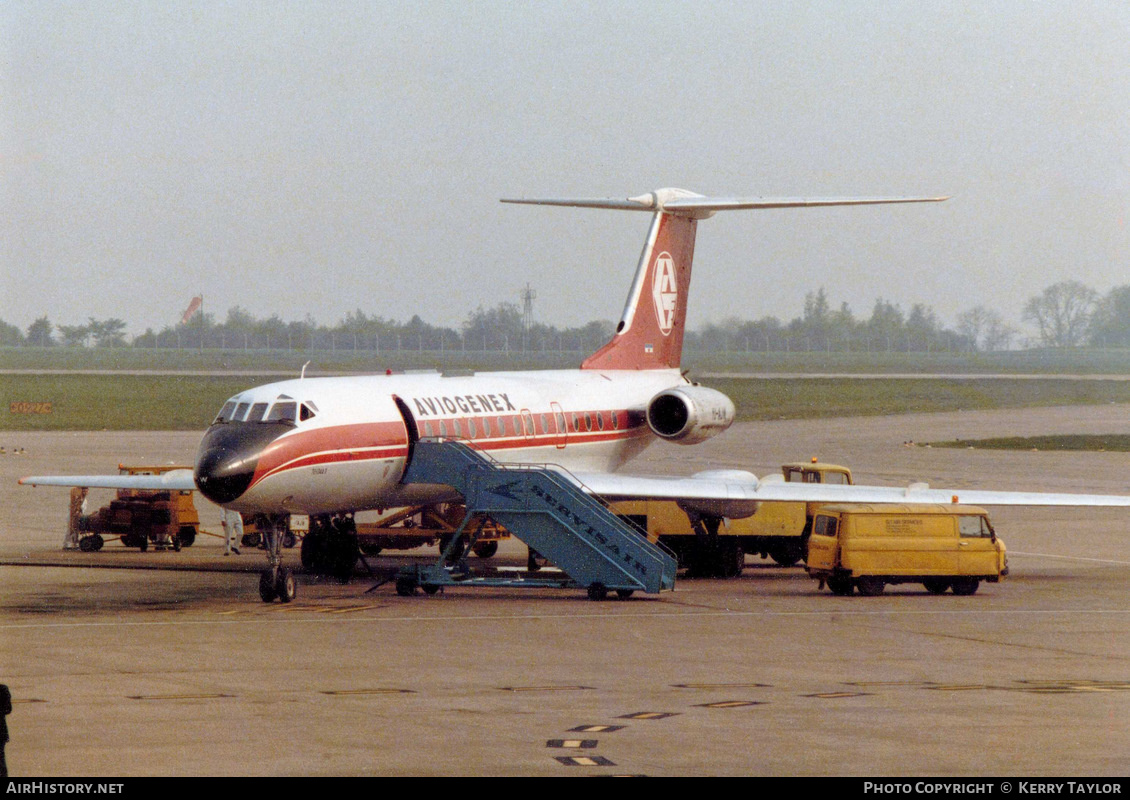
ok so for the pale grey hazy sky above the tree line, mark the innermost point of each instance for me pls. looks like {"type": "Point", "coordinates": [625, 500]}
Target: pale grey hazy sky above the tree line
{"type": "Point", "coordinates": [316, 159]}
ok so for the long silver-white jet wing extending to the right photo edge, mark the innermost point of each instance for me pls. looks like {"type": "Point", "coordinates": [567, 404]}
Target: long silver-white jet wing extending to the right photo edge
{"type": "Point", "coordinates": [732, 493]}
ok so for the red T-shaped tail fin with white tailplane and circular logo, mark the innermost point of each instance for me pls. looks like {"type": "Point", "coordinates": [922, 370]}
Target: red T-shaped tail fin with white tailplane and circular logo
{"type": "Point", "coordinates": [650, 333]}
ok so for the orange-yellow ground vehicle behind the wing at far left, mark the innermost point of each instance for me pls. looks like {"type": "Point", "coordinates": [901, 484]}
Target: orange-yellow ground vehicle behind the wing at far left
{"type": "Point", "coordinates": [140, 518]}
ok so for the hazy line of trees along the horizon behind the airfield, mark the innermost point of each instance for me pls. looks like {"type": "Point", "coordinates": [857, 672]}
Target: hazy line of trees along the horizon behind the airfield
{"type": "Point", "coordinates": [1066, 315]}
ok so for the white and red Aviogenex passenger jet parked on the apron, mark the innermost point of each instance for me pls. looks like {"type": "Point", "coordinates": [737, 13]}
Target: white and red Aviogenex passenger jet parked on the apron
{"type": "Point", "coordinates": [333, 447]}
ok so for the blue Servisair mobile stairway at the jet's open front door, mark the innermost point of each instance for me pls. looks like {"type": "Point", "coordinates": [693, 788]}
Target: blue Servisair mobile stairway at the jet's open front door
{"type": "Point", "coordinates": [552, 515]}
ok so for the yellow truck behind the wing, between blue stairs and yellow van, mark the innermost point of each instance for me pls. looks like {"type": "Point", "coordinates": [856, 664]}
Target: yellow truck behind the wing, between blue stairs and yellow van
{"type": "Point", "coordinates": [778, 531]}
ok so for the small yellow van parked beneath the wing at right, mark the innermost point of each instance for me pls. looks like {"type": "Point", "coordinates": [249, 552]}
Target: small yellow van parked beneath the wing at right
{"type": "Point", "coordinates": [867, 547]}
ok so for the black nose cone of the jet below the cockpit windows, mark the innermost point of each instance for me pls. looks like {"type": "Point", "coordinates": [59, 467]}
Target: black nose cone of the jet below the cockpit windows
{"type": "Point", "coordinates": [228, 459]}
